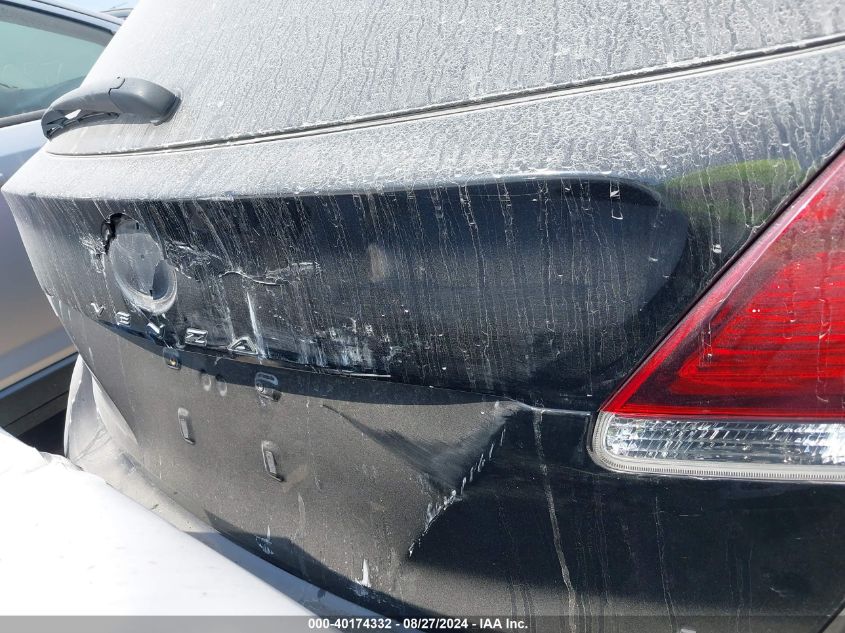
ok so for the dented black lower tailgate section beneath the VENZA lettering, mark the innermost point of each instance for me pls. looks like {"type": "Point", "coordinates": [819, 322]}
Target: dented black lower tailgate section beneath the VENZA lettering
{"type": "Point", "coordinates": [537, 531]}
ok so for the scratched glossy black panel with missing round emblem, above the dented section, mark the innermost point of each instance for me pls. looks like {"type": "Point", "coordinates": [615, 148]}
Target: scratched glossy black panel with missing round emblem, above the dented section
{"type": "Point", "coordinates": [546, 291]}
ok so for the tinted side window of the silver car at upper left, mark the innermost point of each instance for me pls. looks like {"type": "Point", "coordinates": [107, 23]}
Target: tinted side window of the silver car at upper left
{"type": "Point", "coordinates": [42, 56]}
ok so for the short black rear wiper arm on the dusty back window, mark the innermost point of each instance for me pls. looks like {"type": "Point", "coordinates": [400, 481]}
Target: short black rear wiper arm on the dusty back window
{"type": "Point", "coordinates": [105, 99]}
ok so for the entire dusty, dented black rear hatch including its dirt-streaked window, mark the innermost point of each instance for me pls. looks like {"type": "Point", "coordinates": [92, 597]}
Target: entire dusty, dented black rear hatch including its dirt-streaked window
{"type": "Point", "coordinates": [357, 302]}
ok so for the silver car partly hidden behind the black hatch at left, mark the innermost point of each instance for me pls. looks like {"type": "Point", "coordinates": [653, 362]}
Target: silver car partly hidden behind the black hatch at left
{"type": "Point", "coordinates": [46, 49]}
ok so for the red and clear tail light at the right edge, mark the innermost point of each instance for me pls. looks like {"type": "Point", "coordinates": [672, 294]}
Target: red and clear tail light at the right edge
{"type": "Point", "coordinates": [751, 383]}
